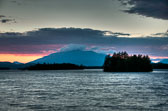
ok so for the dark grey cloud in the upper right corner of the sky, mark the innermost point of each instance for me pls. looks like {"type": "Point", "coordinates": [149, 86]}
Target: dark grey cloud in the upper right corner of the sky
{"type": "Point", "coordinates": [150, 8]}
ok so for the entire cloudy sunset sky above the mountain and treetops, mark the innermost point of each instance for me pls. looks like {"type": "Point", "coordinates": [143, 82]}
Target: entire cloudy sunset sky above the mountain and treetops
{"type": "Point", "coordinates": [30, 29]}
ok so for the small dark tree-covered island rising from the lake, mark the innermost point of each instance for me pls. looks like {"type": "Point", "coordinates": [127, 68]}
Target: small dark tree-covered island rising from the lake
{"type": "Point", "coordinates": [122, 62]}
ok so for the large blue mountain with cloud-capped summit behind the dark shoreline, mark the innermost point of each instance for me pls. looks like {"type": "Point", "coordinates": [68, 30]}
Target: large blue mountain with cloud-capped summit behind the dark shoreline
{"type": "Point", "coordinates": [78, 57]}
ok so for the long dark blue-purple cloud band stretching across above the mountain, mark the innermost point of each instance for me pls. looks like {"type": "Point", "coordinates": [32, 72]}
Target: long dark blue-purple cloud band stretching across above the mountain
{"type": "Point", "coordinates": [50, 38]}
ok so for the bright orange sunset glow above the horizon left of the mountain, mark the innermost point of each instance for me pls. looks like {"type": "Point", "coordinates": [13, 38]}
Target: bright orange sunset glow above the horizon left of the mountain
{"type": "Point", "coordinates": [23, 58]}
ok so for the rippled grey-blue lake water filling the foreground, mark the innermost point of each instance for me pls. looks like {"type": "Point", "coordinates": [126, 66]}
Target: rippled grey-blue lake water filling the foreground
{"type": "Point", "coordinates": [87, 90]}
